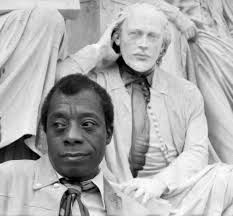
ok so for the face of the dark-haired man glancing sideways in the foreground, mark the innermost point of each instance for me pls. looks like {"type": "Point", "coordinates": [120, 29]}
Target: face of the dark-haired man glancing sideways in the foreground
{"type": "Point", "coordinates": [76, 134]}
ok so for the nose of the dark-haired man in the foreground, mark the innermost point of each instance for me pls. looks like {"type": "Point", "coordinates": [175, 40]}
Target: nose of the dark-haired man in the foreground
{"type": "Point", "coordinates": [74, 134]}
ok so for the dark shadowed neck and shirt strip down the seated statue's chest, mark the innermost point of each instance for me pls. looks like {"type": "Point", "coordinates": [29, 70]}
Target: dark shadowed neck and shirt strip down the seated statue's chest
{"type": "Point", "coordinates": [137, 85]}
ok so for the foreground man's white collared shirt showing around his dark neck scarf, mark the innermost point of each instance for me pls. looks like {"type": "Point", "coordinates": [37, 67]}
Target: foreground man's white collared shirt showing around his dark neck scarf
{"type": "Point", "coordinates": [94, 201]}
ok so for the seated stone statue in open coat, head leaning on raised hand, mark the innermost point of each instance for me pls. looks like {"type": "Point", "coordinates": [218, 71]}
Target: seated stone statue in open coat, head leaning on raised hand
{"type": "Point", "coordinates": [160, 139]}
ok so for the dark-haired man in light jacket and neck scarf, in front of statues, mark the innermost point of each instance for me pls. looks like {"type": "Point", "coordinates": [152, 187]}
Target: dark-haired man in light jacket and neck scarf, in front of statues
{"type": "Point", "coordinates": [77, 117]}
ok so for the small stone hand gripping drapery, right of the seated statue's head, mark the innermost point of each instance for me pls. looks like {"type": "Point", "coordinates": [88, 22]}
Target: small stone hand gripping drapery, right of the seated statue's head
{"type": "Point", "coordinates": [186, 26]}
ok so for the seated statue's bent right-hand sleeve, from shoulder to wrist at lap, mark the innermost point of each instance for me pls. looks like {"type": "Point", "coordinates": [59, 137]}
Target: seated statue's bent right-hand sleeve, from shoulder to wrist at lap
{"type": "Point", "coordinates": [194, 156]}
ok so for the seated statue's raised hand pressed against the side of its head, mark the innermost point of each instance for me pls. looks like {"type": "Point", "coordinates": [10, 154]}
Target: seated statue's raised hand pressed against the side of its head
{"type": "Point", "coordinates": [107, 55]}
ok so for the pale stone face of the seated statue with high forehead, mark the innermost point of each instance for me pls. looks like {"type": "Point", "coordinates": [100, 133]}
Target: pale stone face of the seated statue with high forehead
{"type": "Point", "coordinates": [141, 38]}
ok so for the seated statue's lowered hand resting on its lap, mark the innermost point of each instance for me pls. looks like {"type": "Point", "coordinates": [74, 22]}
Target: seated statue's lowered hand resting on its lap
{"type": "Point", "coordinates": [144, 189]}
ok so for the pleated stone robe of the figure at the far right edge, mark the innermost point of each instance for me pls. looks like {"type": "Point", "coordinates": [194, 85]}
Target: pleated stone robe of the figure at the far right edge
{"type": "Point", "coordinates": [212, 55]}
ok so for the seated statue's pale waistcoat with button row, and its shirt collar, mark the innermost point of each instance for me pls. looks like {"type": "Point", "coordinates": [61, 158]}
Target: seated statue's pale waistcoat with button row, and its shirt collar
{"type": "Point", "coordinates": [161, 150]}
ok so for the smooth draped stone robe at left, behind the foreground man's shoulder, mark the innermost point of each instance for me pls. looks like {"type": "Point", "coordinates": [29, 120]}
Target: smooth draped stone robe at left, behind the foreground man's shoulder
{"type": "Point", "coordinates": [30, 45]}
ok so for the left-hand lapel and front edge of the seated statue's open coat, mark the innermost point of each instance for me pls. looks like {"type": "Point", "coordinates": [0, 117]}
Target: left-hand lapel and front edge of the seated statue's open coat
{"type": "Point", "coordinates": [122, 124]}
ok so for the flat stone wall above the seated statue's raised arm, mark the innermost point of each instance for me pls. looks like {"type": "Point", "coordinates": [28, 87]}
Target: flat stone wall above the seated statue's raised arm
{"type": "Point", "coordinates": [91, 21]}
